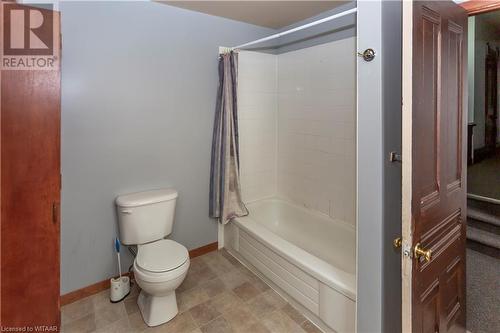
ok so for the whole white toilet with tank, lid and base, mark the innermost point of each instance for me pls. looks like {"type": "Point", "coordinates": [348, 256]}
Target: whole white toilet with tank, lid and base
{"type": "Point", "coordinates": [145, 219]}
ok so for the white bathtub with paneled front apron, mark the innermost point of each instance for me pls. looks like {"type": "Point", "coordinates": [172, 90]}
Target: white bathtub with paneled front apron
{"type": "Point", "coordinates": [308, 256]}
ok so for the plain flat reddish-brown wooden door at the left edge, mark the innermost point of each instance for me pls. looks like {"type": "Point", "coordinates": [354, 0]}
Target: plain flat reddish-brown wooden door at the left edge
{"type": "Point", "coordinates": [30, 191]}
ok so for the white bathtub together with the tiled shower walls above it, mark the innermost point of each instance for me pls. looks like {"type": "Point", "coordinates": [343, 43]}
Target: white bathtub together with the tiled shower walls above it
{"type": "Point", "coordinates": [297, 115]}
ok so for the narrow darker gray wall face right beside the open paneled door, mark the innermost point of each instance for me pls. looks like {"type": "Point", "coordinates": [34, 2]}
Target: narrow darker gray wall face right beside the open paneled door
{"type": "Point", "coordinates": [391, 108]}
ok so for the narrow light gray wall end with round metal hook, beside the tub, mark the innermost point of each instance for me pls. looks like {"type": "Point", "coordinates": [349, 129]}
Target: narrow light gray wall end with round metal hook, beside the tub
{"type": "Point", "coordinates": [369, 171]}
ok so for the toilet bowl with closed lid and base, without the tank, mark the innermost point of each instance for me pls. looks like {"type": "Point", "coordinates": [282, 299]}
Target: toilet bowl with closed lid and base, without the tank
{"type": "Point", "coordinates": [159, 268]}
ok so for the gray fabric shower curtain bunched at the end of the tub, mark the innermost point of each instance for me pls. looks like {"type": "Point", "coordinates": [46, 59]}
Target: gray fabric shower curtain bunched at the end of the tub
{"type": "Point", "coordinates": [225, 190]}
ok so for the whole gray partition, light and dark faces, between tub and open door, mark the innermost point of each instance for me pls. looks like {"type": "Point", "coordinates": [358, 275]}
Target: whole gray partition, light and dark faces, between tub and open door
{"type": "Point", "coordinates": [379, 181]}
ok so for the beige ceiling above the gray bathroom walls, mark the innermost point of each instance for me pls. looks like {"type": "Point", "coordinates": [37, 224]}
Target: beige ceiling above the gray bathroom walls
{"type": "Point", "coordinates": [271, 14]}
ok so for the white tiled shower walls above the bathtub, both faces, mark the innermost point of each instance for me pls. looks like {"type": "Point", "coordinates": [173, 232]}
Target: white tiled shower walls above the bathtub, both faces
{"type": "Point", "coordinates": [297, 119]}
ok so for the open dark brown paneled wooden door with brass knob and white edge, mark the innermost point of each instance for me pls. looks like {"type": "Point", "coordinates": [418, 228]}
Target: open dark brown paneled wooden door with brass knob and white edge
{"type": "Point", "coordinates": [434, 166]}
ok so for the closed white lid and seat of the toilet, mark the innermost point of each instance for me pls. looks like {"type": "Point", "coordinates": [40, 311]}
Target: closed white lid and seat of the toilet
{"type": "Point", "coordinates": [161, 256]}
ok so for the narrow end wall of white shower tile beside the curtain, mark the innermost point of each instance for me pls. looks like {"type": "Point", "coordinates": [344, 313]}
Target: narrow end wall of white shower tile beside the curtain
{"type": "Point", "coordinates": [258, 108]}
